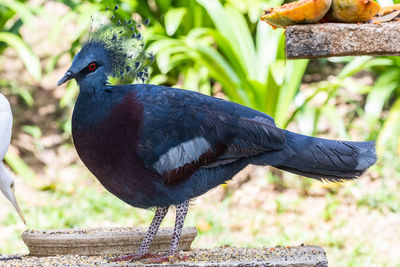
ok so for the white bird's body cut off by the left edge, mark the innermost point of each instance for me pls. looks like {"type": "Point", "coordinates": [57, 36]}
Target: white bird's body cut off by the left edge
{"type": "Point", "coordinates": [5, 126]}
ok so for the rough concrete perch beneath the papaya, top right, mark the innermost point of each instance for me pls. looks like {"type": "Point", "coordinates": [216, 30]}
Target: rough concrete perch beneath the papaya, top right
{"type": "Point", "coordinates": [340, 39]}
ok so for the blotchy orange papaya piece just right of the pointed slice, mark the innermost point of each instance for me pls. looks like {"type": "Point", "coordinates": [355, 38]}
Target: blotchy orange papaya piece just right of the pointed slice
{"type": "Point", "coordinates": [353, 10]}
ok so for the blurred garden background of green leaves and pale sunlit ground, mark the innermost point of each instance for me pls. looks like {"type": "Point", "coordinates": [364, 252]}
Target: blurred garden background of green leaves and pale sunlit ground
{"type": "Point", "coordinates": [220, 48]}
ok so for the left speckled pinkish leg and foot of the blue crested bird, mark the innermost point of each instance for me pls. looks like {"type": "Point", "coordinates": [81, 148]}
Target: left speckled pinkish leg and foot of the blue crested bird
{"type": "Point", "coordinates": [148, 239]}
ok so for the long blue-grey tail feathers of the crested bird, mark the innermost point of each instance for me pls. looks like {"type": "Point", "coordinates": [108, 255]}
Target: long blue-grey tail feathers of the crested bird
{"type": "Point", "coordinates": [324, 159]}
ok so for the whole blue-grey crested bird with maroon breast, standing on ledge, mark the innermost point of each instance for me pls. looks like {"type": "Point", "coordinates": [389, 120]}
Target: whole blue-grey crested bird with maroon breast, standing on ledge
{"type": "Point", "coordinates": [155, 146]}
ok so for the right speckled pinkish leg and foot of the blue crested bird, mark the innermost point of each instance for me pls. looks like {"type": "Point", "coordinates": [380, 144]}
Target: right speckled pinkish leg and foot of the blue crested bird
{"type": "Point", "coordinates": [181, 211]}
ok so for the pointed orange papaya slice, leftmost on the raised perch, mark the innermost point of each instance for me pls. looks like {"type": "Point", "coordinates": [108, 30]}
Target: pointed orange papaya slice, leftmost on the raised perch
{"type": "Point", "coordinates": [299, 12]}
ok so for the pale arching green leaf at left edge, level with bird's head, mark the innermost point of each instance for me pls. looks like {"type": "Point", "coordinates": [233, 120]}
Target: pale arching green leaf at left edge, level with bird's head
{"type": "Point", "coordinates": [31, 61]}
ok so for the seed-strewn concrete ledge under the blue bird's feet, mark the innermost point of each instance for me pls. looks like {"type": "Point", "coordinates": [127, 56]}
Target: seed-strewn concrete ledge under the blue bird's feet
{"type": "Point", "coordinates": [298, 256]}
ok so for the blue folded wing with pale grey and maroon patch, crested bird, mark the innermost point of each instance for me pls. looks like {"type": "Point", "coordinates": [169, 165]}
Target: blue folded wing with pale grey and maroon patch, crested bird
{"type": "Point", "coordinates": [183, 131]}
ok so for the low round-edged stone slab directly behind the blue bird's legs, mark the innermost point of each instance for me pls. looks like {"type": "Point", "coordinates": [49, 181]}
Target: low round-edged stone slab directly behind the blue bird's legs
{"type": "Point", "coordinates": [100, 241]}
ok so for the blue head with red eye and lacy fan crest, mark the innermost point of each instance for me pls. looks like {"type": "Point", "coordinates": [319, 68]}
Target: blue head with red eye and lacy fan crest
{"type": "Point", "coordinates": [114, 49]}
